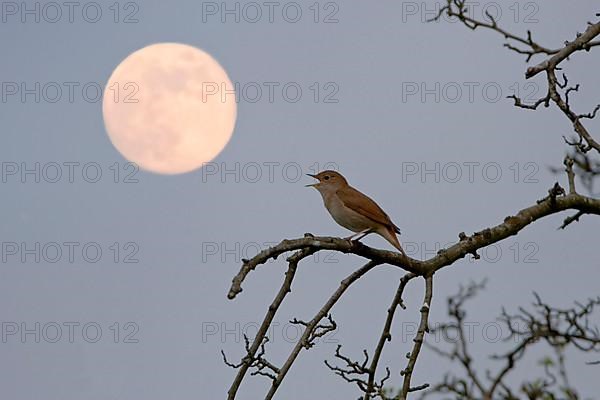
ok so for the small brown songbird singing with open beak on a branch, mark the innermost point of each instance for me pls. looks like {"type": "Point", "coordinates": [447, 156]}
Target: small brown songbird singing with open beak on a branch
{"type": "Point", "coordinates": [354, 210]}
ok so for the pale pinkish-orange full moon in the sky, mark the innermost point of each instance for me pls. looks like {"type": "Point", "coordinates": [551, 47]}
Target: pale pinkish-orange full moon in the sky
{"type": "Point", "coordinates": [169, 108]}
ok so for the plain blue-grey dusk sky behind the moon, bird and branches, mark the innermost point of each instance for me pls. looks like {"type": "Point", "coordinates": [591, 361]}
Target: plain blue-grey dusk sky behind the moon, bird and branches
{"type": "Point", "coordinates": [414, 114]}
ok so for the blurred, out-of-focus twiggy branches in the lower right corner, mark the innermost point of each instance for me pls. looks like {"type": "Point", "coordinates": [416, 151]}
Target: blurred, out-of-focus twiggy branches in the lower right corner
{"type": "Point", "coordinates": [557, 327]}
